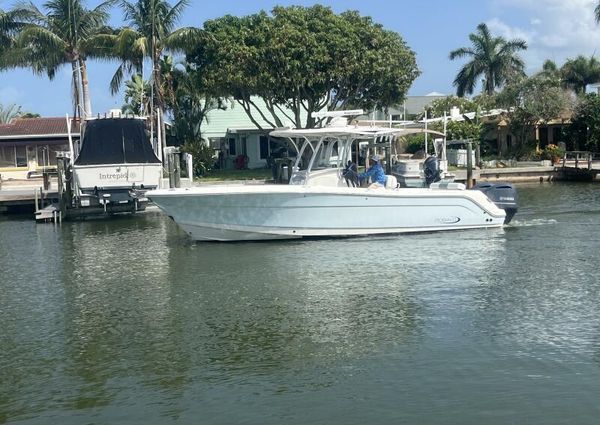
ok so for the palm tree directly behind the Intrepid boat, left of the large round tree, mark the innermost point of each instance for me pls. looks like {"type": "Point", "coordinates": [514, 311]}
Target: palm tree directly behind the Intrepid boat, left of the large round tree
{"type": "Point", "coordinates": [151, 33]}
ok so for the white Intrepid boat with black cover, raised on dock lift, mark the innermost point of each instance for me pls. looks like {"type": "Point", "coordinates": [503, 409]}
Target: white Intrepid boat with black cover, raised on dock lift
{"type": "Point", "coordinates": [110, 169]}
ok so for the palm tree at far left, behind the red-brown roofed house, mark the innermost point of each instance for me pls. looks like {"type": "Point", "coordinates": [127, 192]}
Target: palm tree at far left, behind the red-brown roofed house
{"type": "Point", "coordinates": [67, 34]}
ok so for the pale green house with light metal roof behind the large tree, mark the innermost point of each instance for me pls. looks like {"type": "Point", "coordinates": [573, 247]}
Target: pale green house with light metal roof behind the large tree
{"type": "Point", "coordinates": [237, 140]}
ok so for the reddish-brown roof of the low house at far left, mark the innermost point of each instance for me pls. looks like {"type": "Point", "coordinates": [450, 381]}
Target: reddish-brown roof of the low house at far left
{"type": "Point", "coordinates": [20, 128]}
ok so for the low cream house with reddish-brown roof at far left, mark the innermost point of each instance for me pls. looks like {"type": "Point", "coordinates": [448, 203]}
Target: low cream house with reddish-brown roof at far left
{"type": "Point", "coordinates": [28, 145]}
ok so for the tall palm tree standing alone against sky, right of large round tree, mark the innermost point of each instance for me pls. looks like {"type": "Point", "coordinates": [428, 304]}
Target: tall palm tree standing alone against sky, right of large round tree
{"type": "Point", "coordinates": [494, 58]}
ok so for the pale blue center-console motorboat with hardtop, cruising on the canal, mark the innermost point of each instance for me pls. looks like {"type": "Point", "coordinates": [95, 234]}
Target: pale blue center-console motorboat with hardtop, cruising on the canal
{"type": "Point", "coordinates": [318, 202]}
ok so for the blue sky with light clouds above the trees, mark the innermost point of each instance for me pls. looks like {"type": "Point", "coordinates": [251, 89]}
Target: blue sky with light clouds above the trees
{"type": "Point", "coordinates": [553, 29]}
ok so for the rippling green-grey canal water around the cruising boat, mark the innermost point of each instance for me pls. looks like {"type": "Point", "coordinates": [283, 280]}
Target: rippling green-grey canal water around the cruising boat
{"type": "Point", "coordinates": [126, 321]}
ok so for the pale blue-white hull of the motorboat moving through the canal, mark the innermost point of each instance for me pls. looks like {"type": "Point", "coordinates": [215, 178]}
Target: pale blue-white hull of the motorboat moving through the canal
{"type": "Point", "coordinates": [290, 212]}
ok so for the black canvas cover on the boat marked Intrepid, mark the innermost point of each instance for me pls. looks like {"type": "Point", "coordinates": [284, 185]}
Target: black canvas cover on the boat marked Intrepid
{"type": "Point", "coordinates": [116, 141]}
